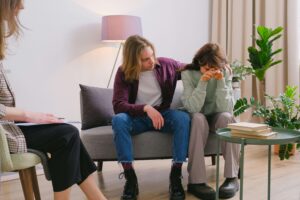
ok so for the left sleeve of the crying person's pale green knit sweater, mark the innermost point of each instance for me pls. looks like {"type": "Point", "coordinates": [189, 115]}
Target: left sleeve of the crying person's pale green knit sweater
{"type": "Point", "coordinates": [194, 92]}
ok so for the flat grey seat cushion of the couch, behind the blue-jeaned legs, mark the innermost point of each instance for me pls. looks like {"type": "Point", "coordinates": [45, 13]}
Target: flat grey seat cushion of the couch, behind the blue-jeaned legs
{"type": "Point", "coordinates": [99, 143]}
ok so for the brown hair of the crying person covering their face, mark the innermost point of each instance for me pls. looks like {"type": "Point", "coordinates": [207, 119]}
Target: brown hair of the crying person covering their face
{"type": "Point", "coordinates": [210, 54]}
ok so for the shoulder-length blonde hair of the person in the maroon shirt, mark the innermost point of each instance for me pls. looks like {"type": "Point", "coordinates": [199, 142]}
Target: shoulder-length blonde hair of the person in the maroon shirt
{"type": "Point", "coordinates": [132, 64]}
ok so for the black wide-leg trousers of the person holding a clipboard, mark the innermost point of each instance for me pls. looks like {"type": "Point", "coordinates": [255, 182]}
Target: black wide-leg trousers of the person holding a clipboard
{"type": "Point", "coordinates": [69, 162]}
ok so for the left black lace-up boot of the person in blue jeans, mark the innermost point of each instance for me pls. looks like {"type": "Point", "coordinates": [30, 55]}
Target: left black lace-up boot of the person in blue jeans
{"type": "Point", "coordinates": [131, 188]}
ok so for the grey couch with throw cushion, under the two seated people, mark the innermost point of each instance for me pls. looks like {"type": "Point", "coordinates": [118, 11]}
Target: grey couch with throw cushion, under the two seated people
{"type": "Point", "coordinates": [97, 134]}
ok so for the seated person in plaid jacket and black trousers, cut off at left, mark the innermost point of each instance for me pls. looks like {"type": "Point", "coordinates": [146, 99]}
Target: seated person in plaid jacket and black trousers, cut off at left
{"type": "Point", "coordinates": [69, 162]}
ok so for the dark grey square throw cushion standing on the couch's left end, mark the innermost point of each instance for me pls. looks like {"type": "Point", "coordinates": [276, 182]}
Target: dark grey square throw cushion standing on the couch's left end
{"type": "Point", "coordinates": [96, 106]}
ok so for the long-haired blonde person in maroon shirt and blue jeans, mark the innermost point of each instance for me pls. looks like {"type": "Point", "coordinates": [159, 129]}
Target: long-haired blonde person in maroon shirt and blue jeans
{"type": "Point", "coordinates": [143, 91]}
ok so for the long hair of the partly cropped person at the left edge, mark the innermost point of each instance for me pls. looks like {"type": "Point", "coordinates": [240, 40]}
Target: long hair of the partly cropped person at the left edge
{"type": "Point", "coordinates": [9, 22]}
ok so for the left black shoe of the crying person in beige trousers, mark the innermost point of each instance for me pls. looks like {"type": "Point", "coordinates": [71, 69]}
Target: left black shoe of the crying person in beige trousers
{"type": "Point", "coordinates": [202, 191]}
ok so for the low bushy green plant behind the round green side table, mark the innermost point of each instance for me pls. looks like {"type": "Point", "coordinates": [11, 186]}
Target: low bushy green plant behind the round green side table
{"type": "Point", "coordinates": [282, 112]}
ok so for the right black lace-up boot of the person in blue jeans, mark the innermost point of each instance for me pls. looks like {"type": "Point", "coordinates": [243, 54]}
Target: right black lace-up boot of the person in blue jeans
{"type": "Point", "coordinates": [176, 190]}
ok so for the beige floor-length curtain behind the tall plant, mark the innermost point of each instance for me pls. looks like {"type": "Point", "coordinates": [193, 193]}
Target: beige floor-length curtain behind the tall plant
{"type": "Point", "coordinates": [234, 23]}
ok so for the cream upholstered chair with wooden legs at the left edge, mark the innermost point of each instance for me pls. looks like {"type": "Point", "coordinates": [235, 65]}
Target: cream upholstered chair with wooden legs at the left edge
{"type": "Point", "coordinates": [24, 163]}
